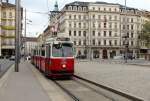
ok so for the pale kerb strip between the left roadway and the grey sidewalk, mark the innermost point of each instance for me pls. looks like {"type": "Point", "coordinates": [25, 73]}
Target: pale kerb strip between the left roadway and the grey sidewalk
{"type": "Point", "coordinates": [4, 78]}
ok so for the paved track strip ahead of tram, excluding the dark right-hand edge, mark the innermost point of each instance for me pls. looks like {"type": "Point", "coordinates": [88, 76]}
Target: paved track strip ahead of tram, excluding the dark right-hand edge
{"type": "Point", "coordinates": [79, 91]}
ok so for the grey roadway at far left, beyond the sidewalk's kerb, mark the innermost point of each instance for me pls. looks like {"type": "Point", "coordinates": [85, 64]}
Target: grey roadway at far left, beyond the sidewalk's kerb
{"type": "Point", "coordinates": [4, 65]}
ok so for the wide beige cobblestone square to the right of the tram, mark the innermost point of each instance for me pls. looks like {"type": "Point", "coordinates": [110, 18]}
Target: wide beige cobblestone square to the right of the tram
{"type": "Point", "coordinates": [127, 78]}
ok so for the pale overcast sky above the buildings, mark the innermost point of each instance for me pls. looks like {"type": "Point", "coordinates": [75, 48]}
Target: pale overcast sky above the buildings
{"type": "Point", "coordinates": [40, 20]}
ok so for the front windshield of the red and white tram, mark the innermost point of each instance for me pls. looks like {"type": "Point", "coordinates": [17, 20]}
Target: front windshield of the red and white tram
{"type": "Point", "coordinates": [62, 50]}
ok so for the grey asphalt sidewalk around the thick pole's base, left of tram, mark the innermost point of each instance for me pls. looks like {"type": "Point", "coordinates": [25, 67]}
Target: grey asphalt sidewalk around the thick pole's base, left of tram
{"type": "Point", "coordinates": [22, 86]}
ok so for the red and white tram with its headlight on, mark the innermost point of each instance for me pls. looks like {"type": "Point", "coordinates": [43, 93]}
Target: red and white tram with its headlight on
{"type": "Point", "coordinates": [55, 57]}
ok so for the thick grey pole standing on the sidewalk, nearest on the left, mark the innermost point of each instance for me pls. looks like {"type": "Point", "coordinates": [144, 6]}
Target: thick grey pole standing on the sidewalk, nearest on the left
{"type": "Point", "coordinates": [17, 48]}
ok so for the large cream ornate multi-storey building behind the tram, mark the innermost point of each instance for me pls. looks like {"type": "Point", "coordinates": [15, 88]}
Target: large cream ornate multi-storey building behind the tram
{"type": "Point", "coordinates": [98, 28]}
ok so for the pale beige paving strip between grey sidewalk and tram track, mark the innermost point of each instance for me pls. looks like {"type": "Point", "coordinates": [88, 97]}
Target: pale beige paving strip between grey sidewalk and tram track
{"type": "Point", "coordinates": [54, 93]}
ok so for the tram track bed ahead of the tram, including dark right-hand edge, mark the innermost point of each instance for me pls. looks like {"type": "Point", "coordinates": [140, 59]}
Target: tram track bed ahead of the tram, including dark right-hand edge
{"type": "Point", "coordinates": [80, 89]}
